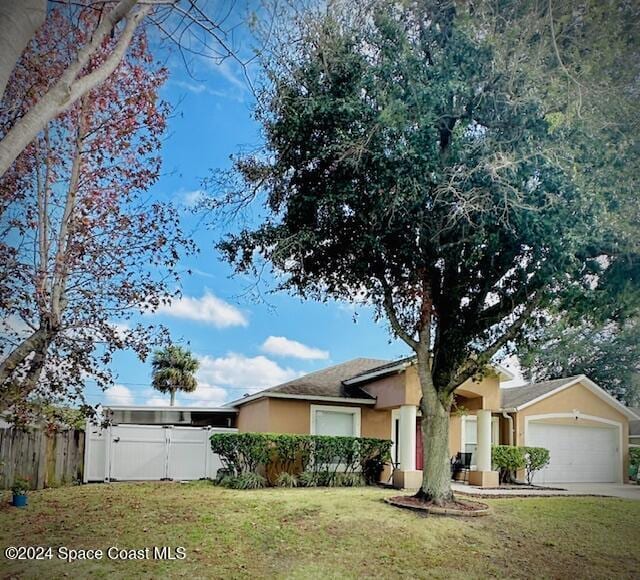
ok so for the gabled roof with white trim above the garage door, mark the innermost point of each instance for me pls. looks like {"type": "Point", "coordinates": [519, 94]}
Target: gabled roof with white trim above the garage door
{"type": "Point", "coordinates": [518, 398]}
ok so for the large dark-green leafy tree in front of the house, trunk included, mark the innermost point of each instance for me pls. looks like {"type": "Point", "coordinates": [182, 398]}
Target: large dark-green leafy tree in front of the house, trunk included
{"type": "Point", "coordinates": [409, 158]}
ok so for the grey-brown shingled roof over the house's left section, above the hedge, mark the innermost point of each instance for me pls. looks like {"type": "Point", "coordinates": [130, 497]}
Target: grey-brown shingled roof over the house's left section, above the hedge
{"type": "Point", "coordinates": [324, 384]}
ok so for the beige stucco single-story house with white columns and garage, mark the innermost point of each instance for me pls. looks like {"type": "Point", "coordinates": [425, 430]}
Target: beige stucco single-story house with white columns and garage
{"type": "Point", "coordinates": [585, 429]}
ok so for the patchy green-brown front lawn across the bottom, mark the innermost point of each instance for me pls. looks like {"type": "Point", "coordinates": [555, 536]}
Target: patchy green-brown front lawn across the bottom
{"type": "Point", "coordinates": [318, 533]}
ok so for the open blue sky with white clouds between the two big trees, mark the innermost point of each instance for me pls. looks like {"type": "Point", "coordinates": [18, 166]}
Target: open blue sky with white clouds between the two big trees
{"type": "Point", "coordinates": [243, 346]}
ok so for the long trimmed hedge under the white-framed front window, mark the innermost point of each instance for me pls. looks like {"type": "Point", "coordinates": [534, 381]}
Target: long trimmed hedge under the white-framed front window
{"type": "Point", "coordinates": [318, 459]}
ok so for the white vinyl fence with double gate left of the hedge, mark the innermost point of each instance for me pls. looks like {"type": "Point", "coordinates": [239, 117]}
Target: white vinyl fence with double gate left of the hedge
{"type": "Point", "coordinates": [150, 453]}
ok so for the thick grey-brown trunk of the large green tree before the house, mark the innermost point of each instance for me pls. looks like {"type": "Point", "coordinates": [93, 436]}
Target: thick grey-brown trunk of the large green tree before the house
{"type": "Point", "coordinates": [436, 471]}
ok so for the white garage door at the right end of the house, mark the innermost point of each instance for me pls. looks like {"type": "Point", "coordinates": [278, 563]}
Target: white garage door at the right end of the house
{"type": "Point", "coordinates": [577, 453]}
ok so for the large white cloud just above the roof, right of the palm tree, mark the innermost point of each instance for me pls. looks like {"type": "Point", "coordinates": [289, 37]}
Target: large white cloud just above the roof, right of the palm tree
{"type": "Point", "coordinates": [238, 370]}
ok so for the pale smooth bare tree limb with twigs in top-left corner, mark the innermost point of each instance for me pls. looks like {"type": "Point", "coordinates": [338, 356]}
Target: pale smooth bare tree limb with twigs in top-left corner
{"type": "Point", "coordinates": [191, 25]}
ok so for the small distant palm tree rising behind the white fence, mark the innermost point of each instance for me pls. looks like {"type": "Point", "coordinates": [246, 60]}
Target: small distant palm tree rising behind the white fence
{"type": "Point", "coordinates": [173, 369]}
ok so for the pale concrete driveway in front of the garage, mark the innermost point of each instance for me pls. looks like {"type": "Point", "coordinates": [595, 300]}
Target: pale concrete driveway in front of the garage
{"type": "Point", "coordinates": [626, 491]}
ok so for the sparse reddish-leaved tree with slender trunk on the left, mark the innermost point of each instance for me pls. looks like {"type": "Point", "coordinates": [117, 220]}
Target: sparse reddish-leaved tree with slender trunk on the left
{"type": "Point", "coordinates": [83, 246]}
